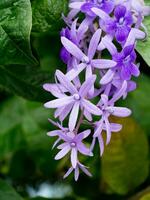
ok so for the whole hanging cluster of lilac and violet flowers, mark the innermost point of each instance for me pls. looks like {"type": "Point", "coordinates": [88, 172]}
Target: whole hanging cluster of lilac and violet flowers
{"type": "Point", "coordinates": [99, 52]}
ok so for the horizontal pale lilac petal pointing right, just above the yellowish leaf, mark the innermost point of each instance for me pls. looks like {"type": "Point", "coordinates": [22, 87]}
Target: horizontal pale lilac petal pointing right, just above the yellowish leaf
{"type": "Point", "coordinates": [119, 111]}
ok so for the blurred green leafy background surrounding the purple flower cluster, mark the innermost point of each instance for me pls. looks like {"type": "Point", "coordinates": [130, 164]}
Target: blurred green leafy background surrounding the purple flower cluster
{"type": "Point", "coordinates": [29, 56]}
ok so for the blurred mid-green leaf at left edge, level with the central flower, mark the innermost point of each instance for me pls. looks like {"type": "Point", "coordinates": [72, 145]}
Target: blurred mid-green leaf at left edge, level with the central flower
{"type": "Point", "coordinates": [23, 124]}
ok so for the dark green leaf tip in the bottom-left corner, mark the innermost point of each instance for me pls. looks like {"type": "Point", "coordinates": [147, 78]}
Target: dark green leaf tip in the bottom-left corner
{"type": "Point", "coordinates": [7, 192]}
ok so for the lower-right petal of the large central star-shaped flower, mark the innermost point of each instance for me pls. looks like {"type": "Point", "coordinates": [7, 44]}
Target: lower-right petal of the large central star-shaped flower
{"type": "Point", "coordinates": [91, 107]}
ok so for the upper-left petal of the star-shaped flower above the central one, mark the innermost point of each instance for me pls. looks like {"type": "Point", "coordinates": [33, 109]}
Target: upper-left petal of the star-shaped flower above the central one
{"type": "Point", "coordinates": [72, 48]}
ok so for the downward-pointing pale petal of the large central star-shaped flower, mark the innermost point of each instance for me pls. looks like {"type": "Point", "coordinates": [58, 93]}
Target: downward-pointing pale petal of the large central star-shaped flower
{"type": "Point", "coordinates": [73, 116]}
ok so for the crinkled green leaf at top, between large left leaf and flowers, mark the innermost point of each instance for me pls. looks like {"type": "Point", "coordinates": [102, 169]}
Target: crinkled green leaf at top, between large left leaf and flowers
{"type": "Point", "coordinates": [47, 15]}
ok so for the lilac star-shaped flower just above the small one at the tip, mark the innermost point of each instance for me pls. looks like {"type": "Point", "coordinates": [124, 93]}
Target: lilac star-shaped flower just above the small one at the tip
{"type": "Point", "coordinates": [72, 142]}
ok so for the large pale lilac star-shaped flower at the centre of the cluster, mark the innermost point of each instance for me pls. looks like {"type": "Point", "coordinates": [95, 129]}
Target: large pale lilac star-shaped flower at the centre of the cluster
{"type": "Point", "coordinates": [77, 98]}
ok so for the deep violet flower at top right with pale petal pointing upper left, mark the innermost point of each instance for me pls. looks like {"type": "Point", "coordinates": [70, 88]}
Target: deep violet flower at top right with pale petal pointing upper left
{"type": "Point", "coordinates": [120, 25]}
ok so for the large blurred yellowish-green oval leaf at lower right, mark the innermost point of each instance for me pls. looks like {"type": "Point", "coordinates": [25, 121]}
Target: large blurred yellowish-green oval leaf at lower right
{"type": "Point", "coordinates": [125, 161]}
